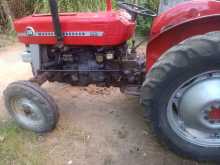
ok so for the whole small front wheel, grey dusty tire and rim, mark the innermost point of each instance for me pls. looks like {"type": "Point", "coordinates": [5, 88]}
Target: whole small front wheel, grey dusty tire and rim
{"type": "Point", "coordinates": [31, 107]}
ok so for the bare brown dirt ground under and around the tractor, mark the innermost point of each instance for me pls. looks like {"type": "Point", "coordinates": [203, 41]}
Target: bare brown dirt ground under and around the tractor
{"type": "Point", "coordinates": [96, 127]}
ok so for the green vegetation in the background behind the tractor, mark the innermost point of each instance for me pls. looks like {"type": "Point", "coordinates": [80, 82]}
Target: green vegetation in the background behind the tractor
{"type": "Point", "coordinates": [11, 9]}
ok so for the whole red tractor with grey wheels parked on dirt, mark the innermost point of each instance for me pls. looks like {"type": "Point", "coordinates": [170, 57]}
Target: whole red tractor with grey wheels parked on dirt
{"type": "Point", "coordinates": [178, 81]}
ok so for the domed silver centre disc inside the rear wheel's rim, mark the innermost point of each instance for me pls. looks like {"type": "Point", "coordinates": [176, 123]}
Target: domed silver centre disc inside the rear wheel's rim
{"type": "Point", "coordinates": [197, 102]}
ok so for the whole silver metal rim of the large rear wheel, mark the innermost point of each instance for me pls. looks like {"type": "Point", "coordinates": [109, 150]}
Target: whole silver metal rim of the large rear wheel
{"type": "Point", "coordinates": [193, 110]}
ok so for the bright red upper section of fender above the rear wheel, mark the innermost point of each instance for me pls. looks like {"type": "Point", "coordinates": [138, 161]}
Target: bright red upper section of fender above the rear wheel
{"type": "Point", "coordinates": [183, 12]}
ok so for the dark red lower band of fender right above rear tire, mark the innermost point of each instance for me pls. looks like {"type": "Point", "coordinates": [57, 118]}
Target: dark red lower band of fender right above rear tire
{"type": "Point", "coordinates": [178, 33]}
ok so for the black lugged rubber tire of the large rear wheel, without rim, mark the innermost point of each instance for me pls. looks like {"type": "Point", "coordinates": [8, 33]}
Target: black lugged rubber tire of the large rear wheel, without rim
{"type": "Point", "coordinates": [191, 57]}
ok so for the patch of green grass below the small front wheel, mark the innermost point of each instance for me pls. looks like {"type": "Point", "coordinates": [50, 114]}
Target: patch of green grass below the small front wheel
{"type": "Point", "coordinates": [19, 147]}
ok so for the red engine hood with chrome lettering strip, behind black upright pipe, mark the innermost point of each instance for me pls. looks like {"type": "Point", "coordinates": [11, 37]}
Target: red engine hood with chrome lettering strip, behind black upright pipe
{"type": "Point", "coordinates": [95, 29]}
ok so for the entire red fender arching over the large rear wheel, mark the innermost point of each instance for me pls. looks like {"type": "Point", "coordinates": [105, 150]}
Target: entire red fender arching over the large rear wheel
{"type": "Point", "coordinates": [179, 23]}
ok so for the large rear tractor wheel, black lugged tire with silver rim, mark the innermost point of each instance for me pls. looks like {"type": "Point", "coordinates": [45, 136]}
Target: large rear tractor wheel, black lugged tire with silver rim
{"type": "Point", "coordinates": [182, 93]}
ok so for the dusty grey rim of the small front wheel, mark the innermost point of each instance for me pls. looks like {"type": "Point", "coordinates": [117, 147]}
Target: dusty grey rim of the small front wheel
{"type": "Point", "coordinates": [26, 112]}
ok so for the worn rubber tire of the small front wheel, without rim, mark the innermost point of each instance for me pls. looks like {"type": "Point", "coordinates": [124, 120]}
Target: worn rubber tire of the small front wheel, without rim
{"type": "Point", "coordinates": [48, 107]}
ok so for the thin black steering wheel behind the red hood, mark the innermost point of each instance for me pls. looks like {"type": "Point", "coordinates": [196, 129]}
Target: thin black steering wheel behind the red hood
{"type": "Point", "coordinates": [136, 10]}
